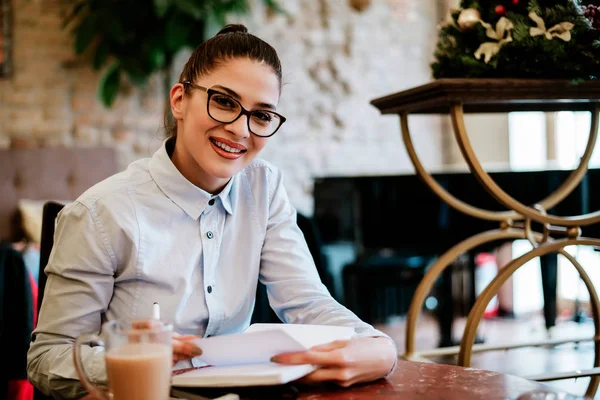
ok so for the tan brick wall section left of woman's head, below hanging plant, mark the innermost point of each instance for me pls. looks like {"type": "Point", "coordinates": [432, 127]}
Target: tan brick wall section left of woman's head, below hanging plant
{"type": "Point", "coordinates": [50, 100]}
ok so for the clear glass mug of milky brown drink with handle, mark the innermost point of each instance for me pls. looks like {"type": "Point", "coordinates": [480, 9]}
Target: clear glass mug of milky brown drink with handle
{"type": "Point", "coordinates": [138, 361]}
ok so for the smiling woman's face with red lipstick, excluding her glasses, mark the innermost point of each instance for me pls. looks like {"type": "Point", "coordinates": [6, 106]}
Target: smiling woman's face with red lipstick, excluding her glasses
{"type": "Point", "coordinates": [201, 150]}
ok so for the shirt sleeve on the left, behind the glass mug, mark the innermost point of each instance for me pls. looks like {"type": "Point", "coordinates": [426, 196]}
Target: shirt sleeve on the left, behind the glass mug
{"type": "Point", "coordinates": [80, 283]}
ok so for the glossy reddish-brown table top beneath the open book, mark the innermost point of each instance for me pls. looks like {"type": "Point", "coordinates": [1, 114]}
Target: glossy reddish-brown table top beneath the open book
{"type": "Point", "coordinates": [412, 380]}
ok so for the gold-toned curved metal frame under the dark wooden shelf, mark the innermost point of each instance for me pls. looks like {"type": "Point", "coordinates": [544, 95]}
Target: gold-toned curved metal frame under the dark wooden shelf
{"type": "Point", "coordinates": [514, 224]}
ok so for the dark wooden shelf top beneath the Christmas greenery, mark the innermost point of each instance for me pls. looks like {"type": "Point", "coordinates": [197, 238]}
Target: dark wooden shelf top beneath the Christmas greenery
{"type": "Point", "coordinates": [492, 95]}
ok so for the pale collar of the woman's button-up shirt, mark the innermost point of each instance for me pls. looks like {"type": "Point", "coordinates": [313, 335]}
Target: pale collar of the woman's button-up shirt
{"type": "Point", "coordinates": [176, 187]}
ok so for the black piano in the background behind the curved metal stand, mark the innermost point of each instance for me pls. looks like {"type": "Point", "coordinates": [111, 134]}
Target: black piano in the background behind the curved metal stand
{"type": "Point", "coordinates": [400, 213]}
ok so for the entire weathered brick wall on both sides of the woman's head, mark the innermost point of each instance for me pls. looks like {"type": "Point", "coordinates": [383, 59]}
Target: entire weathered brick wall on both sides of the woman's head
{"type": "Point", "coordinates": [335, 60]}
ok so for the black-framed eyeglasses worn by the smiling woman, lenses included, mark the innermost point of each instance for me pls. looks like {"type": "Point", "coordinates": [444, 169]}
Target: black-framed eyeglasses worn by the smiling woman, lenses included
{"type": "Point", "coordinates": [225, 109]}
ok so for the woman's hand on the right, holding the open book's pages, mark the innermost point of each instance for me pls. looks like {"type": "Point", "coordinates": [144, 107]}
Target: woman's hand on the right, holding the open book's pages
{"type": "Point", "coordinates": [346, 362]}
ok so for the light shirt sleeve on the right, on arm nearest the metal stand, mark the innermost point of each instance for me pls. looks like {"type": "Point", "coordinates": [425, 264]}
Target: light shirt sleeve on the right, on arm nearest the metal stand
{"type": "Point", "coordinates": [294, 288]}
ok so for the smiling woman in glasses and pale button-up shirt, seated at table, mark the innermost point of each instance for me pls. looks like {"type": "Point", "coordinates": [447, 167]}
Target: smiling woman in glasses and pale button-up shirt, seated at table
{"type": "Point", "coordinates": [194, 228]}
